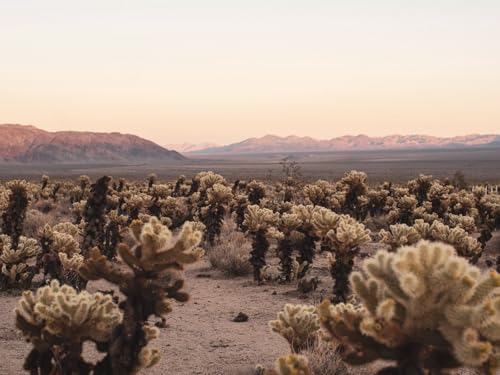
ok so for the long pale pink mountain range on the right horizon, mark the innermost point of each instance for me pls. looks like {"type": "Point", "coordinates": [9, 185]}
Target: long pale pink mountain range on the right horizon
{"type": "Point", "coordinates": [273, 143]}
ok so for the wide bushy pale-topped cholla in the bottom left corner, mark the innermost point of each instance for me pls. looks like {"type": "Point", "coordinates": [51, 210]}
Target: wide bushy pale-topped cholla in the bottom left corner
{"type": "Point", "coordinates": [58, 320]}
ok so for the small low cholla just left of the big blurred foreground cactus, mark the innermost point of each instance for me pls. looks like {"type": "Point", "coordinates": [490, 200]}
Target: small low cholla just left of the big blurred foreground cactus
{"type": "Point", "coordinates": [298, 324]}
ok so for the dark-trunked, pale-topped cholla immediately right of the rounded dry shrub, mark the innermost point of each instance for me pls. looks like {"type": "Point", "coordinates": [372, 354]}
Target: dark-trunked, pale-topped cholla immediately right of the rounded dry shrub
{"type": "Point", "coordinates": [259, 221]}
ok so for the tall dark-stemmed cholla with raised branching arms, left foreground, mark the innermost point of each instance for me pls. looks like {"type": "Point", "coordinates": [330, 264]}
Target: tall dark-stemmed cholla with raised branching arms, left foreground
{"type": "Point", "coordinates": [151, 281]}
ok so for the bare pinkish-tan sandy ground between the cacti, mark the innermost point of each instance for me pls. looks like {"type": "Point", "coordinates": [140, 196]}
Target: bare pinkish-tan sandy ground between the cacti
{"type": "Point", "coordinates": [201, 337]}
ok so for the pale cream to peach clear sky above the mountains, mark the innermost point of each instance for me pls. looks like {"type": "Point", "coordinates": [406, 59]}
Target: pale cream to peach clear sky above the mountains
{"type": "Point", "coordinates": [221, 71]}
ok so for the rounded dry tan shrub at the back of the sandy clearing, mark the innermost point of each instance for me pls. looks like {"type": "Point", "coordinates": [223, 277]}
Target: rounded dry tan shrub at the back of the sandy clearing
{"type": "Point", "coordinates": [231, 252]}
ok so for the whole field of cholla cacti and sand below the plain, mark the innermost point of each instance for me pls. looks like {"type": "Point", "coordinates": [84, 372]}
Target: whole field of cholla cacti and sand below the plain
{"type": "Point", "coordinates": [206, 274]}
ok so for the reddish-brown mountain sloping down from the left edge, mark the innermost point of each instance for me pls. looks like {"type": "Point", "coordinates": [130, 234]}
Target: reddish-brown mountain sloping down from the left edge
{"type": "Point", "coordinates": [25, 143]}
